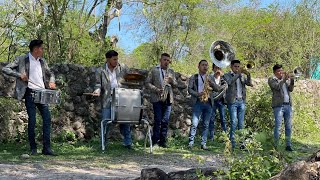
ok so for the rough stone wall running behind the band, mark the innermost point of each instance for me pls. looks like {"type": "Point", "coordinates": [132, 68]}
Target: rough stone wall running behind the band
{"type": "Point", "coordinates": [80, 113]}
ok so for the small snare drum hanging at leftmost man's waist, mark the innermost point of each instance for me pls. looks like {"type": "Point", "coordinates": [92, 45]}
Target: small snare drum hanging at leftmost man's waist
{"type": "Point", "coordinates": [46, 96]}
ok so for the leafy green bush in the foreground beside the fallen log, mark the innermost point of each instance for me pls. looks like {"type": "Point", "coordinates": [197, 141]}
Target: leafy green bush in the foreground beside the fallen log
{"type": "Point", "coordinates": [253, 162]}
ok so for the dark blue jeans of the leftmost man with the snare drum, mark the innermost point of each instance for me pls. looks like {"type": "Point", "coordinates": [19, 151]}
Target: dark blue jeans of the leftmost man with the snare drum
{"type": "Point", "coordinates": [46, 122]}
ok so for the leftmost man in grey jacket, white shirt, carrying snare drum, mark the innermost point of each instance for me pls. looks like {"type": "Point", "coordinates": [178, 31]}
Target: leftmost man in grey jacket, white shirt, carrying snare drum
{"type": "Point", "coordinates": [33, 73]}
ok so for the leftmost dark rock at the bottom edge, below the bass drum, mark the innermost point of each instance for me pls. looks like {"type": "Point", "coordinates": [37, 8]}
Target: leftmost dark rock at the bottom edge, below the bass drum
{"type": "Point", "coordinates": [153, 174]}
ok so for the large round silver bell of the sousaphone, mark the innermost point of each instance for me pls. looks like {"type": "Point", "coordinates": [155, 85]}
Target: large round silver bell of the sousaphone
{"type": "Point", "coordinates": [221, 53]}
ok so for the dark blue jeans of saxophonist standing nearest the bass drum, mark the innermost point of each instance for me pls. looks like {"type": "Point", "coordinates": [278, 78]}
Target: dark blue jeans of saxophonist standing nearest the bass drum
{"type": "Point", "coordinates": [162, 112]}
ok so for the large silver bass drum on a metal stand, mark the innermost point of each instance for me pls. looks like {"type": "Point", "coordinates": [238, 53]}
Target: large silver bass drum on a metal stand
{"type": "Point", "coordinates": [126, 105]}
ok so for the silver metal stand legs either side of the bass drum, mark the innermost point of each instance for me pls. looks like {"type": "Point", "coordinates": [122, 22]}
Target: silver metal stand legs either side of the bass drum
{"type": "Point", "coordinates": [106, 122]}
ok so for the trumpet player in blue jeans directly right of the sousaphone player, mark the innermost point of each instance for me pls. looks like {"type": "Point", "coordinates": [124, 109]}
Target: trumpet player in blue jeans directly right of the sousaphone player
{"type": "Point", "coordinates": [237, 81]}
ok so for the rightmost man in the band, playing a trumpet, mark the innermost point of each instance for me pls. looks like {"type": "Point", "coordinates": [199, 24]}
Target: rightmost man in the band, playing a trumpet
{"type": "Point", "coordinates": [281, 85]}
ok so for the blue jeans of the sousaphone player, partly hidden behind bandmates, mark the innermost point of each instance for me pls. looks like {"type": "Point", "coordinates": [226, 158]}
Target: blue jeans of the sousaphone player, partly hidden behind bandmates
{"type": "Point", "coordinates": [220, 106]}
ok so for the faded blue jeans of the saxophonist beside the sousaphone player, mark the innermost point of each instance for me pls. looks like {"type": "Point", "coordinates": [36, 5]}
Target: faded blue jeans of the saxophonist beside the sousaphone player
{"type": "Point", "coordinates": [203, 110]}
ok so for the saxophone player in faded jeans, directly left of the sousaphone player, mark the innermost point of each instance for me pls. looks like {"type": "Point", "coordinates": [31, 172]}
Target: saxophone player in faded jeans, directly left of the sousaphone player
{"type": "Point", "coordinates": [196, 89]}
